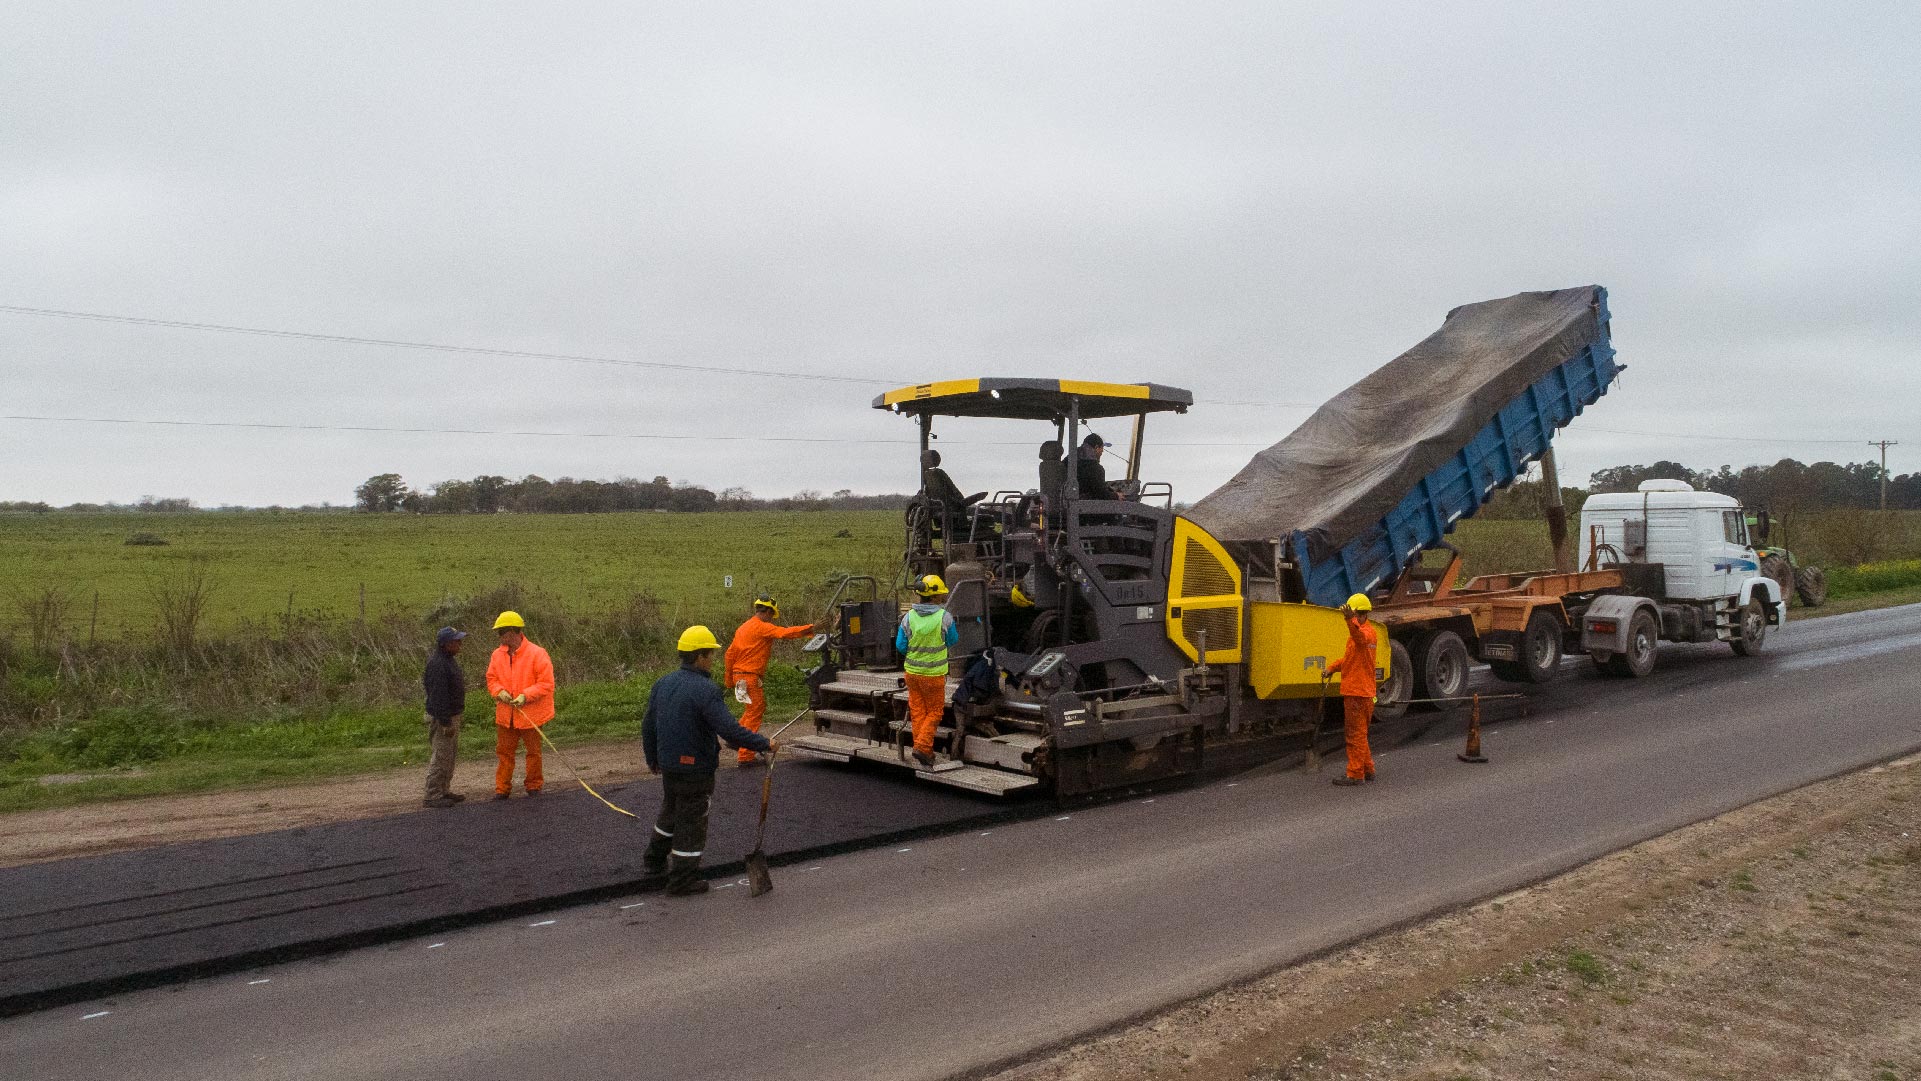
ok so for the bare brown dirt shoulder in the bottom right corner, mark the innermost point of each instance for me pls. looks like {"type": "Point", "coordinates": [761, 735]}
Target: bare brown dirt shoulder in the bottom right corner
{"type": "Point", "coordinates": [1782, 940]}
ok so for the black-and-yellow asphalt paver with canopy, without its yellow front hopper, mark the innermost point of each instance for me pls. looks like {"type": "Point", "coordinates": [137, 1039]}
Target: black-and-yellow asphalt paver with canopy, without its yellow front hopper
{"type": "Point", "coordinates": [1088, 623]}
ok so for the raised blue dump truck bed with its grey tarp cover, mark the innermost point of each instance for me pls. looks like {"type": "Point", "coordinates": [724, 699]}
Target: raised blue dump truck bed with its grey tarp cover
{"type": "Point", "coordinates": [1390, 466]}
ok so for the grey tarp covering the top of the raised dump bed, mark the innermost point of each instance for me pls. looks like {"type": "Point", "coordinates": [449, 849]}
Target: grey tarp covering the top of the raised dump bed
{"type": "Point", "coordinates": [1363, 452]}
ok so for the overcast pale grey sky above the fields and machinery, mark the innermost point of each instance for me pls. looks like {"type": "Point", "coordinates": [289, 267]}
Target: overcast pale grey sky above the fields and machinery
{"type": "Point", "coordinates": [1259, 203]}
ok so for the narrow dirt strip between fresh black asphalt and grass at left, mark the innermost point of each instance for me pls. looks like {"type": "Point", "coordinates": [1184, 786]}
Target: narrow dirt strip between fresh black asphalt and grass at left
{"type": "Point", "coordinates": [36, 836]}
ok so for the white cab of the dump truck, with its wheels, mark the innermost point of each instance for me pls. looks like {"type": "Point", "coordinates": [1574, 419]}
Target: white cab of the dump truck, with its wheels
{"type": "Point", "coordinates": [1711, 585]}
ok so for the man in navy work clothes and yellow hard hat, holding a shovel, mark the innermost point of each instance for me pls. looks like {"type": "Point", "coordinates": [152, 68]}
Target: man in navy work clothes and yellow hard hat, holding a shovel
{"type": "Point", "coordinates": [681, 733]}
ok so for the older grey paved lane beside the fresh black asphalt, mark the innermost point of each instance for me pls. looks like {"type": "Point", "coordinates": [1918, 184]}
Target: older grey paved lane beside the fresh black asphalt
{"type": "Point", "coordinates": [952, 955]}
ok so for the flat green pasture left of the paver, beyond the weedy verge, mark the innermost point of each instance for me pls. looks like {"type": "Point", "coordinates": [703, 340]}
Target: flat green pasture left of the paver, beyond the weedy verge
{"type": "Point", "coordinates": [266, 565]}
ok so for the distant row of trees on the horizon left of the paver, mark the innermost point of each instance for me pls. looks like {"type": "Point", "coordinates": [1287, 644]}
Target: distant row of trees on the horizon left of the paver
{"type": "Point", "coordinates": [389, 492]}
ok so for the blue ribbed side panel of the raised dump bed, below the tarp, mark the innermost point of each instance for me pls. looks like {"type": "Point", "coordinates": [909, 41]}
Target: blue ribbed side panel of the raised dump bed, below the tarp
{"type": "Point", "coordinates": [1497, 454]}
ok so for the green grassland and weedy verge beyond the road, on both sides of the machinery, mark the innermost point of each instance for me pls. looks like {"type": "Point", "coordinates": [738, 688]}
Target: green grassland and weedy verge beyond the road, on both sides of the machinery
{"type": "Point", "coordinates": [268, 700]}
